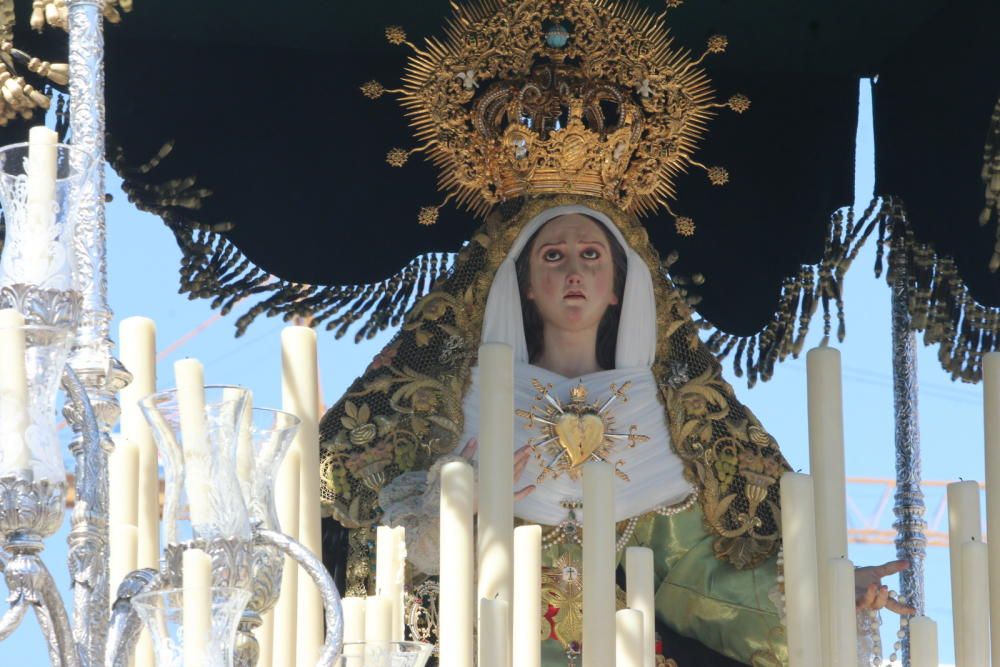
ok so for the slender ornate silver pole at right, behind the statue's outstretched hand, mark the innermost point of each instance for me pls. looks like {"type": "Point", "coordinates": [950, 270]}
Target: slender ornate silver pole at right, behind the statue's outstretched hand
{"type": "Point", "coordinates": [911, 543]}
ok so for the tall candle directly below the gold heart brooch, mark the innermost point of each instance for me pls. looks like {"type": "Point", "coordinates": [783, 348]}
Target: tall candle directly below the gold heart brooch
{"type": "Point", "coordinates": [598, 564]}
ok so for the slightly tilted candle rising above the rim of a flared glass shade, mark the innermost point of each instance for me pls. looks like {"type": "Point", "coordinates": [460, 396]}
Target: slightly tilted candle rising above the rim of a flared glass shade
{"type": "Point", "coordinates": [190, 377]}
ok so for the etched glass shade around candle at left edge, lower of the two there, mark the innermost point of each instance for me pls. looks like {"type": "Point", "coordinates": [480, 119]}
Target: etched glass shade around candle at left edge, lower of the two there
{"type": "Point", "coordinates": [32, 359]}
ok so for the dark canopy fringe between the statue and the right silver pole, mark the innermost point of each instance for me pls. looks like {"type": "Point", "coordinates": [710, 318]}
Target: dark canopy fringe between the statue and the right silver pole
{"type": "Point", "coordinates": [802, 294]}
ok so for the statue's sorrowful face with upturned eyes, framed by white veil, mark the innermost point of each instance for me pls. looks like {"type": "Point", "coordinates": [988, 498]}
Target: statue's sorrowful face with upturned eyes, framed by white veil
{"type": "Point", "coordinates": [571, 273]}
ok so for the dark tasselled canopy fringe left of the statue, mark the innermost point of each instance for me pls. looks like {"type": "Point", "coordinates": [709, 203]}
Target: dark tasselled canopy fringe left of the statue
{"type": "Point", "coordinates": [214, 268]}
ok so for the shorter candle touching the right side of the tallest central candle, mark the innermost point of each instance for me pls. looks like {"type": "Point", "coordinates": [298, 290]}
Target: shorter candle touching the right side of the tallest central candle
{"type": "Point", "coordinates": [527, 649]}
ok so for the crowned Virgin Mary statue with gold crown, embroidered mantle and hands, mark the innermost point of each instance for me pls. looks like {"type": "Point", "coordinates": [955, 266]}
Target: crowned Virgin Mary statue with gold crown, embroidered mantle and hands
{"type": "Point", "coordinates": [561, 122]}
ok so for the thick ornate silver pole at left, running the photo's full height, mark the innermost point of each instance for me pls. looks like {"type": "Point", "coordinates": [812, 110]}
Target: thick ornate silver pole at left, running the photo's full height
{"type": "Point", "coordinates": [92, 360]}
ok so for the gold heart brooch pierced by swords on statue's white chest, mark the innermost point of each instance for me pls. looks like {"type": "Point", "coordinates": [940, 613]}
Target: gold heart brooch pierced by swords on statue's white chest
{"type": "Point", "coordinates": [575, 433]}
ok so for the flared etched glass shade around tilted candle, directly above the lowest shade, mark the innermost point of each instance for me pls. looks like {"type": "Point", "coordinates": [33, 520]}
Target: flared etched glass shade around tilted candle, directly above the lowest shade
{"type": "Point", "coordinates": [202, 498]}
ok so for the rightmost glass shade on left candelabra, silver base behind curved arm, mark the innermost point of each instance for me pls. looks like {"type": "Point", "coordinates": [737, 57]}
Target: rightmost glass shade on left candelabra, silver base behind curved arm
{"type": "Point", "coordinates": [271, 433]}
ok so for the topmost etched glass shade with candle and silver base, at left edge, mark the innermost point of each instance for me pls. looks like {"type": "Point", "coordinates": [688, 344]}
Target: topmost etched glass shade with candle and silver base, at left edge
{"type": "Point", "coordinates": [37, 268]}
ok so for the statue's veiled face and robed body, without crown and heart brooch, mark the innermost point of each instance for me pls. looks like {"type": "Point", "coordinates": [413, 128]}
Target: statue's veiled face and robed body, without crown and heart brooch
{"type": "Point", "coordinates": [701, 490]}
